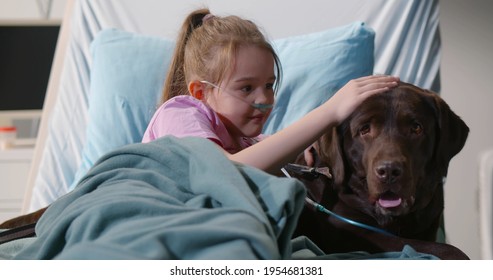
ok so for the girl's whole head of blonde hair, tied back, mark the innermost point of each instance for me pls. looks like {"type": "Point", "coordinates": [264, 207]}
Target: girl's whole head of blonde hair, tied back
{"type": "Point", "coordinates": [206, 49]}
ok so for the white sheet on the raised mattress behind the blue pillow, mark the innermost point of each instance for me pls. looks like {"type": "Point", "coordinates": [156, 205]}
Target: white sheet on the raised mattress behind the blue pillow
{"type": "Point", "coordinates": [407, 45]}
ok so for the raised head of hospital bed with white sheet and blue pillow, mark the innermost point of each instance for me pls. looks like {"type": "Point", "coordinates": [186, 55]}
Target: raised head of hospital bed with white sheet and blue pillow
{"type": "Point", "coordinates": [112, 58]}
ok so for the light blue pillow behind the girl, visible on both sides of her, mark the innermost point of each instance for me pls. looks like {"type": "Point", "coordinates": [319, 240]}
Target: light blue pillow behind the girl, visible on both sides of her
{"type": "Point", "coordinates": [128, 72]}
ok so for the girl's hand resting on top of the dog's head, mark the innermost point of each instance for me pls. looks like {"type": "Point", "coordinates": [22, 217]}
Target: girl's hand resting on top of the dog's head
{"type": "Point", "coordinates": [355, 91]}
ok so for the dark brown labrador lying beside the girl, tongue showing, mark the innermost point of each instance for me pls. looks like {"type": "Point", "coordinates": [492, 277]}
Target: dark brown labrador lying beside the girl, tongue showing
{"type": "Point", "coordinates": [388, 163]}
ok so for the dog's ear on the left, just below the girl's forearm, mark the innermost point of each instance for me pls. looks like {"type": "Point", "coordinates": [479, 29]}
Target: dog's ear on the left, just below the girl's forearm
{"type": "Point", "coordinates": [331, 154]}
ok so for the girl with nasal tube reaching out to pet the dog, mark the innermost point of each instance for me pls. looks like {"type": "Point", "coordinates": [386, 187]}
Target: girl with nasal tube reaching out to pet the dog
{"type": "Point", "coordinates": [221, 86]}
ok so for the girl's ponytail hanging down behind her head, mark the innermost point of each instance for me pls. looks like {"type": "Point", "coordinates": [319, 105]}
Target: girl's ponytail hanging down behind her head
{"type": "Point", "coordinates": [175, 83]}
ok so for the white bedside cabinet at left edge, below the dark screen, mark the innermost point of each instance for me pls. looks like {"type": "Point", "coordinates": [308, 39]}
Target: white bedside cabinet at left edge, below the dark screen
{"type": "Point", "coordinates": [14, 170]}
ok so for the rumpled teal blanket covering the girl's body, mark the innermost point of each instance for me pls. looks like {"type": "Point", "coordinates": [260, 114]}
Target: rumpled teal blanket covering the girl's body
{"type": "Point", "coordinates": [171, 199]}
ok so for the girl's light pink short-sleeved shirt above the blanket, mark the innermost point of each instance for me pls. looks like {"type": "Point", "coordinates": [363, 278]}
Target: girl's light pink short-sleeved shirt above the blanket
{"type": "Point", "coordinates": [184, 116]}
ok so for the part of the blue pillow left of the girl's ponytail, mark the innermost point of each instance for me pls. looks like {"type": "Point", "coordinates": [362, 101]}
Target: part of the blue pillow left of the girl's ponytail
{"type": "Point", "coordinates": [127, 77]}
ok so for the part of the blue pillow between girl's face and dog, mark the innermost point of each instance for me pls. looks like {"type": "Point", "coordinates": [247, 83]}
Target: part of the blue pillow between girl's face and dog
{"type": "Point", "coordinates": [315, 66]}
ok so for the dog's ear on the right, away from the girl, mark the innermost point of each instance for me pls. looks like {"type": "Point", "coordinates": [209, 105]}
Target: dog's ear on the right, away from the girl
{"type": "Point", "coordinates": [453, 133]}
